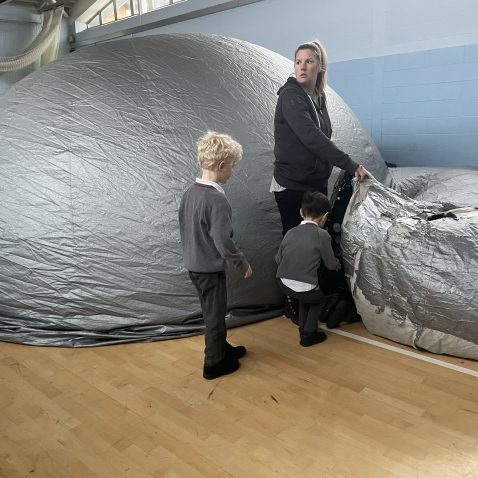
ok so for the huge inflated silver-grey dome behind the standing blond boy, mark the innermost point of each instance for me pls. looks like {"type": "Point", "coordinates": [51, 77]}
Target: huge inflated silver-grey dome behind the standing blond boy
{"type": "Point", "coordinates": [96, 151]}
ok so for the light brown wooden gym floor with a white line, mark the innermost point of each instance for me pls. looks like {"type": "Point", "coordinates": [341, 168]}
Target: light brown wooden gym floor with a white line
{"type": "Point", "coordinates": [338, 409]}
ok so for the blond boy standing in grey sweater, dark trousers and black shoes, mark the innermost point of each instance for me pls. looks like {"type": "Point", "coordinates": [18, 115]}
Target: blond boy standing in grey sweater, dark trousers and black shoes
{"type": "Point", "coordinates": [205, 223]}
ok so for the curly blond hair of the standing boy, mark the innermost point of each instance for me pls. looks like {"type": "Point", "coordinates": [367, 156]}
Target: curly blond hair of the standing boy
{"type": "Point", "coordinates": [216, 147]}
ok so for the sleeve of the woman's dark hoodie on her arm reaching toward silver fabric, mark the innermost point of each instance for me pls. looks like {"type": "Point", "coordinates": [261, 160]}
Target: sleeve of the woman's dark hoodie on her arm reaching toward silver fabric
{"type": "Point", "coordinates": [296, 113]}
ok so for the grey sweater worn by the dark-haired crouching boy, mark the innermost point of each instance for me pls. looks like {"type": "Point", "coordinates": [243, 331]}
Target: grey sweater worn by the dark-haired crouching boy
{"type": "Point", "coordinates": [301, 252]}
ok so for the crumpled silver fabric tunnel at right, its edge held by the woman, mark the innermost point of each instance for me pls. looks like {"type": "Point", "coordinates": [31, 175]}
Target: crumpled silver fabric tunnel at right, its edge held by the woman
{"type": "Point", "coordinates": [413, 263]}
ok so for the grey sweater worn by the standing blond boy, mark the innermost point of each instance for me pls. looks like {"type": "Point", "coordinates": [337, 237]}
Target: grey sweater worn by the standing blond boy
{"type": "Point", "coordinates": [205, 225]}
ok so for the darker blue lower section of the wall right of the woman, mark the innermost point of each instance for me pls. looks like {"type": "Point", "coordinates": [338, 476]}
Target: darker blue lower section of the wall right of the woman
{"type": "Point", "coordinates": [421, 108]}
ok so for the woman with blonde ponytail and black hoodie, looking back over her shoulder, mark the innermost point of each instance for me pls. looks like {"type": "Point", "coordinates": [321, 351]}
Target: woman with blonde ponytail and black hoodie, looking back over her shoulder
{"type": "Point", "coordinates": [304, 153]}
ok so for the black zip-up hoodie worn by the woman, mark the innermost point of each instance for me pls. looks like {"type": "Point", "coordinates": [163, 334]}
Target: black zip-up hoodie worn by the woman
{"type": "Point", "coordinates": [304, 153]}
